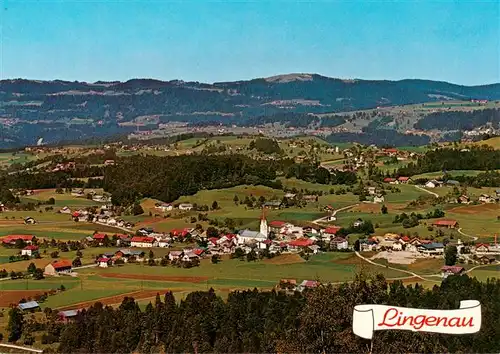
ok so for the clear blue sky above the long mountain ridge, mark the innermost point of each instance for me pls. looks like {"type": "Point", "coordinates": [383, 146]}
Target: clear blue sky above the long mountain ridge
{"type": "Point", "coordinates": [212, 41]}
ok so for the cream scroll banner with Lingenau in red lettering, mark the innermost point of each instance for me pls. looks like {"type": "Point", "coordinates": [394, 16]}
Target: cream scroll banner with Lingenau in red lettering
{"type": "Point", "coordinates": [369, 318]}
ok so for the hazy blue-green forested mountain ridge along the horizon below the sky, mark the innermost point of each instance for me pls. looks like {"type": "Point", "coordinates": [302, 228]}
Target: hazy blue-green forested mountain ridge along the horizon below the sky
{"type": "Point", "coordinates": [62, 110]}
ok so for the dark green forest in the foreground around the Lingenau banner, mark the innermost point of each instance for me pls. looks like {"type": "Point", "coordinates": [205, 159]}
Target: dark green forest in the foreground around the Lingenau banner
{"type": "Point", "coordinates": [315, 321]}
